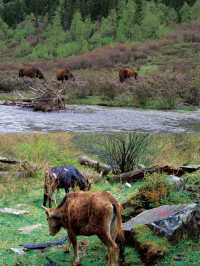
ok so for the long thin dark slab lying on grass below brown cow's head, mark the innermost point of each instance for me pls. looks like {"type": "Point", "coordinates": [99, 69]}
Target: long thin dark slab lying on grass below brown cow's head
{"type": "Point", "coordinates": [33, 246]}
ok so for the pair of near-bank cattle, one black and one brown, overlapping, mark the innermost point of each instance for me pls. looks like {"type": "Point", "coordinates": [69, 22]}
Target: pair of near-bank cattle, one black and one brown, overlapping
{"type": "Point", "coordinates": [84, 212]}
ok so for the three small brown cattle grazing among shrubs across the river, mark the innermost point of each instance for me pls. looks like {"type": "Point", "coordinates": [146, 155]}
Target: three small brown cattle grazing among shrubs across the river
{"type": "Point", "coordinates": [65, 74]}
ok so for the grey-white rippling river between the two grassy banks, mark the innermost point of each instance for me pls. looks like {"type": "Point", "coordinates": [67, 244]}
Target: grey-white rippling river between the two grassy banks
{"type": "Point", "coordinates": [95, 118]}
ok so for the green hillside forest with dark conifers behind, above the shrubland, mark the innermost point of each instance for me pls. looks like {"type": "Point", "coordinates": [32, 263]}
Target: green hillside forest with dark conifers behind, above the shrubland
{"type": "Point", "coordinates": [57, 28]}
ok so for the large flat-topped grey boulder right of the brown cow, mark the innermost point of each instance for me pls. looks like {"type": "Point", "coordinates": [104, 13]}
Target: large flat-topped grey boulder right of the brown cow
{"type": "Point", "coordinates": [173, 221]}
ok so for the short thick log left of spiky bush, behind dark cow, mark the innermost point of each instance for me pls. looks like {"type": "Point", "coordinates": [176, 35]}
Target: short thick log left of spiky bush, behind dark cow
{"type": "Point", "coordinates": [101, 168]}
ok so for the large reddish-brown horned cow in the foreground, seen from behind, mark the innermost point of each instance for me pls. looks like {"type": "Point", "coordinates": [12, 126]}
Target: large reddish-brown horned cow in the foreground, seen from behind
{"type": "Point", "coordinates": [89, 213]}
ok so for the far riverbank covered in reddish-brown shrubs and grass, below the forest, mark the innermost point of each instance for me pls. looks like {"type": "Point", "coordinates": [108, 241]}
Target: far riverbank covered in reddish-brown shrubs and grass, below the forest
{"type": "Point", "coordinates": [169, 74]}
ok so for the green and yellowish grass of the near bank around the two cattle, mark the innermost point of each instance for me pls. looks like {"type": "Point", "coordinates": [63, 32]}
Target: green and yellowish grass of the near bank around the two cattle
{"type": "Point", "coordinates": [59, 148]}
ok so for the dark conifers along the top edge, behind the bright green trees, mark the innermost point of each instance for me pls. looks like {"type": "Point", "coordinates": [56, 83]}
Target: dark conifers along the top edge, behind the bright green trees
{"type": "Point", "coordinates": [15, 11]}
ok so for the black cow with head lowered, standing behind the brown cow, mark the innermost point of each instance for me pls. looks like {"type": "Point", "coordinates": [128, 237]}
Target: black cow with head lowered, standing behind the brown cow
{"type": "Point", "coordinates": [62, 177]}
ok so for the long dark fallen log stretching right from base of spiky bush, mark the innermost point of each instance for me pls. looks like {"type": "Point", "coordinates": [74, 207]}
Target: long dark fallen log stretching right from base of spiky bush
{"type": "Point", "coordinates": [140, 173]}
